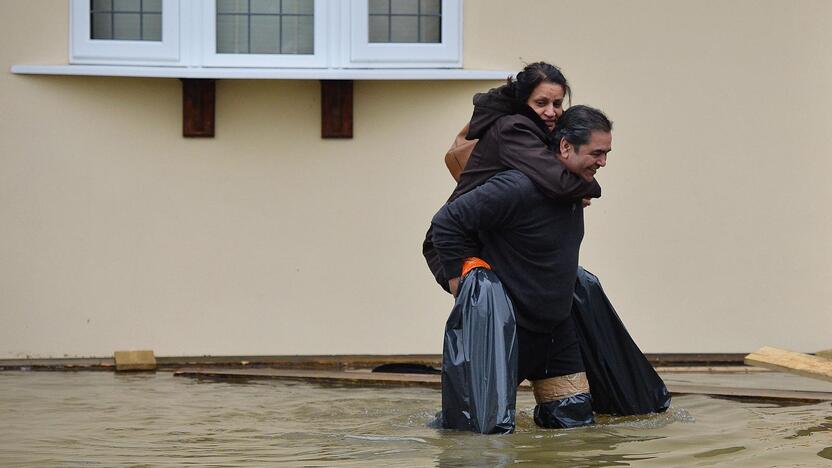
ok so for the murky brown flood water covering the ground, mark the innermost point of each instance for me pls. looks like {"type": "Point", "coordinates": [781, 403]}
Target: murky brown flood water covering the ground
{"type": "Point", "coordinates": [105, 419]}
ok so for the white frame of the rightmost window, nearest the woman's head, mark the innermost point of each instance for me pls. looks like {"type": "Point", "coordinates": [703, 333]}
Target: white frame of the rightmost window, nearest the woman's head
{"type": "Point", "coordinates": [447, 54]}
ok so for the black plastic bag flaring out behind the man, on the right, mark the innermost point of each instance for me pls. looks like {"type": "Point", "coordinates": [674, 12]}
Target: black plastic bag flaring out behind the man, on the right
{"type": "Point", "coordinates": [621, 379]}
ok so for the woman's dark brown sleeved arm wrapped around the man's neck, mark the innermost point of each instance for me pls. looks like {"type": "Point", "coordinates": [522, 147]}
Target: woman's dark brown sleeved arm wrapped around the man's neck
{"type": "Point", "coordinates": [520, 148]}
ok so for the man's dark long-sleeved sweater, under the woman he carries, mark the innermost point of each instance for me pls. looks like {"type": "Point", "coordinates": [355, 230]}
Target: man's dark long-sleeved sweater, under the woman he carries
{"type": "Point", "coordinates": [530, 241]}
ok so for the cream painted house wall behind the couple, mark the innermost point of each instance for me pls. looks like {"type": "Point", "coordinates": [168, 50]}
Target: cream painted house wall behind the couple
{"type": "Point", "coordinates": [713, 234]}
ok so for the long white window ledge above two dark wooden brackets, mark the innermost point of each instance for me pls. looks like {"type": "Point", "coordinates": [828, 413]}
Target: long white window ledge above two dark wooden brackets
{"type": "Point", "coordinates": [263, 73]}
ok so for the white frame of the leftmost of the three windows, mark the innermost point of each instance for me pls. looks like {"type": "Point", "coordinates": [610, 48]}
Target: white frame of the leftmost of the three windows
{"type": "Point", "coordinates": [84, 50]}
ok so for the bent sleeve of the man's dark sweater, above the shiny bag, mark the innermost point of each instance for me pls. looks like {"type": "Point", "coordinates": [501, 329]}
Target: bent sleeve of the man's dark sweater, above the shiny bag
{"type": "Point", "coordinates": [489, 206]}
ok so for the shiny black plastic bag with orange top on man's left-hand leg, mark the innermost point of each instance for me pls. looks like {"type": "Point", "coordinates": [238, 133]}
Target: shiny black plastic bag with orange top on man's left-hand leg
{"type": "Point", "coordinates": [479, 358]}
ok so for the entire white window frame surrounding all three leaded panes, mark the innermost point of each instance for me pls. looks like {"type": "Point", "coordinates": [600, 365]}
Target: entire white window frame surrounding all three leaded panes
{"type": "Point", "coordinates": [341, 41]}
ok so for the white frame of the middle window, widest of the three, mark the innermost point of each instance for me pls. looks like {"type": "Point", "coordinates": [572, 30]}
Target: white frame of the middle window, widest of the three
{"type": "Point", "coordinates": [318, 59]}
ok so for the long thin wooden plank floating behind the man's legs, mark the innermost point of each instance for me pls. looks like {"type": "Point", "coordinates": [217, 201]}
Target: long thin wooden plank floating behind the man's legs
{"type": "Point", "coordinates": [434, 381]}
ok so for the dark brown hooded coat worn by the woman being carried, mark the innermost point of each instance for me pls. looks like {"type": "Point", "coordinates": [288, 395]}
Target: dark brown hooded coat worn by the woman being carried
{"type": "Point", "coordinates": [511, 136]}
